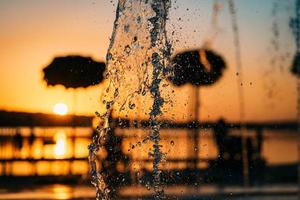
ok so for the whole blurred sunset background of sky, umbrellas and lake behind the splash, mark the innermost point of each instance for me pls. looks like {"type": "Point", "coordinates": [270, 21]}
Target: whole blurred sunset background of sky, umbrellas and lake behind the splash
{"type": "Point", "coordinates": [232, 132]}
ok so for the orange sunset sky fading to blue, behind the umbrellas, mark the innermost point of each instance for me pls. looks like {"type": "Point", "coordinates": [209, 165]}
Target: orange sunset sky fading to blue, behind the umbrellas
{"type": "Point", "coordinates": [34, 31]}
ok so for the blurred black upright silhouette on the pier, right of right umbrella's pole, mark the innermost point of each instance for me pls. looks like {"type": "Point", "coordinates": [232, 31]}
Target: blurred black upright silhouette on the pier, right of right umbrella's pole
{"type": "Point", "coordinates": [228, 167]}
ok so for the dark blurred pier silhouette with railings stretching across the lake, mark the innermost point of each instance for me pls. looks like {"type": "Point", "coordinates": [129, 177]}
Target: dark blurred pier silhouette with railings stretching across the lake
{"type": "Point", "coordinates": [224, 169]}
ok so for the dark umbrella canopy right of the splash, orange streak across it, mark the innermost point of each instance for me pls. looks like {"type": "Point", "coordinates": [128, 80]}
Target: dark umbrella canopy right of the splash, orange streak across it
{"type": "Point", "coordinates": [197, 67]}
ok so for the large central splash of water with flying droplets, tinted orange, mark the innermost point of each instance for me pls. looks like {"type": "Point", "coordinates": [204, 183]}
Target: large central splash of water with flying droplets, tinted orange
{"type": "Point", "coordinates": [137, 64]}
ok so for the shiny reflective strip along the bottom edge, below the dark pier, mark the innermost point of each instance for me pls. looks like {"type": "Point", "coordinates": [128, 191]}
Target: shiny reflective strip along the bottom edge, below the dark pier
{"type": "Point", "coordinates": [81, 192]}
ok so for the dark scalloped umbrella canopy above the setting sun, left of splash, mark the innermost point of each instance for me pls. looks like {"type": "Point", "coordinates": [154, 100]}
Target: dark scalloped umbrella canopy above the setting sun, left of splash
{"type": "Point", "coordinates": [74, 72]}
